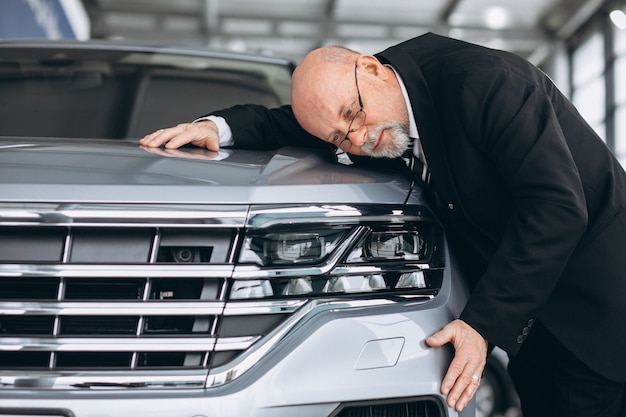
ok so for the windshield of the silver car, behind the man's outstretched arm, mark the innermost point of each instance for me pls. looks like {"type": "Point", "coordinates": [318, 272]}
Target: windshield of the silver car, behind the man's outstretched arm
{"type": "Point", "coordinates": [115, 93]}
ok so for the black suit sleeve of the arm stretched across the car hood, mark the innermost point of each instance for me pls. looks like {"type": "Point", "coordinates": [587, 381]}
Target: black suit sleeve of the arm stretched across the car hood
{"type": "Point", "coordinates": [259, 127]}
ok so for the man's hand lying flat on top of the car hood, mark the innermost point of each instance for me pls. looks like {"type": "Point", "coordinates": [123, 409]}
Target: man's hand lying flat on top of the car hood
{"type": "Point", "coordinates": [203, 134]}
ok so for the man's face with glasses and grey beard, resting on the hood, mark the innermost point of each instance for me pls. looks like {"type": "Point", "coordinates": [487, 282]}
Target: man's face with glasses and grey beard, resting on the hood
{"type": "Point", "coordinates": [358, 111]}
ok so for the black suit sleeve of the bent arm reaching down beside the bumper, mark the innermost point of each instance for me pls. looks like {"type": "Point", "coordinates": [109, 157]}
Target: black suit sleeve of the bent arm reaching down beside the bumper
{"type": "Point", "coordinates": [514, 123]}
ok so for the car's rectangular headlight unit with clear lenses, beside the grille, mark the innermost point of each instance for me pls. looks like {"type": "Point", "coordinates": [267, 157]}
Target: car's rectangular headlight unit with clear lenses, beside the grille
{"type": "Point", "coordinates": [393, 257]}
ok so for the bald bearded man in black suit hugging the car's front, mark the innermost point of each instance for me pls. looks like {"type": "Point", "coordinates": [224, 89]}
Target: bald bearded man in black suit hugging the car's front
{"type": "Point", "coordinates": [529, 195]}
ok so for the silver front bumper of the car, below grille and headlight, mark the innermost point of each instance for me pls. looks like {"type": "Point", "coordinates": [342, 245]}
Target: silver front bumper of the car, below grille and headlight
{"type": "Point", "coordinates": [341, 353]}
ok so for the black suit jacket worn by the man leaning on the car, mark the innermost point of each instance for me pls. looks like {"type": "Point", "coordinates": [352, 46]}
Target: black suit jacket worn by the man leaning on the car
{"type": "Point", "coordinates": [532, 200]}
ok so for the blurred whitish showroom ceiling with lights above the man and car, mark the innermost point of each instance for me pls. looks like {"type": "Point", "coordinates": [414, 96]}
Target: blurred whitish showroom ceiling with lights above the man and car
{"type": "Point", "coordinates": [294, 27]}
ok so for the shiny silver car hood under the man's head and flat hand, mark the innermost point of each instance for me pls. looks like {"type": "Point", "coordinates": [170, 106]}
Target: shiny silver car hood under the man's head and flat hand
{"type": "Point", "coordinates": [41, 170]}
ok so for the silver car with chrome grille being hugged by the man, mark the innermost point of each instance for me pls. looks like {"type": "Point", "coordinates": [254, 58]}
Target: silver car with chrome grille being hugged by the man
{"type": "Point", "coordinates": [194, 283]}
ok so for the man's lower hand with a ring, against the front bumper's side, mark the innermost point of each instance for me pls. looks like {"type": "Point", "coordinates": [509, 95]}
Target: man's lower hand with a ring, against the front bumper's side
{"type": "Point", "coordinates": [463, 377]}
